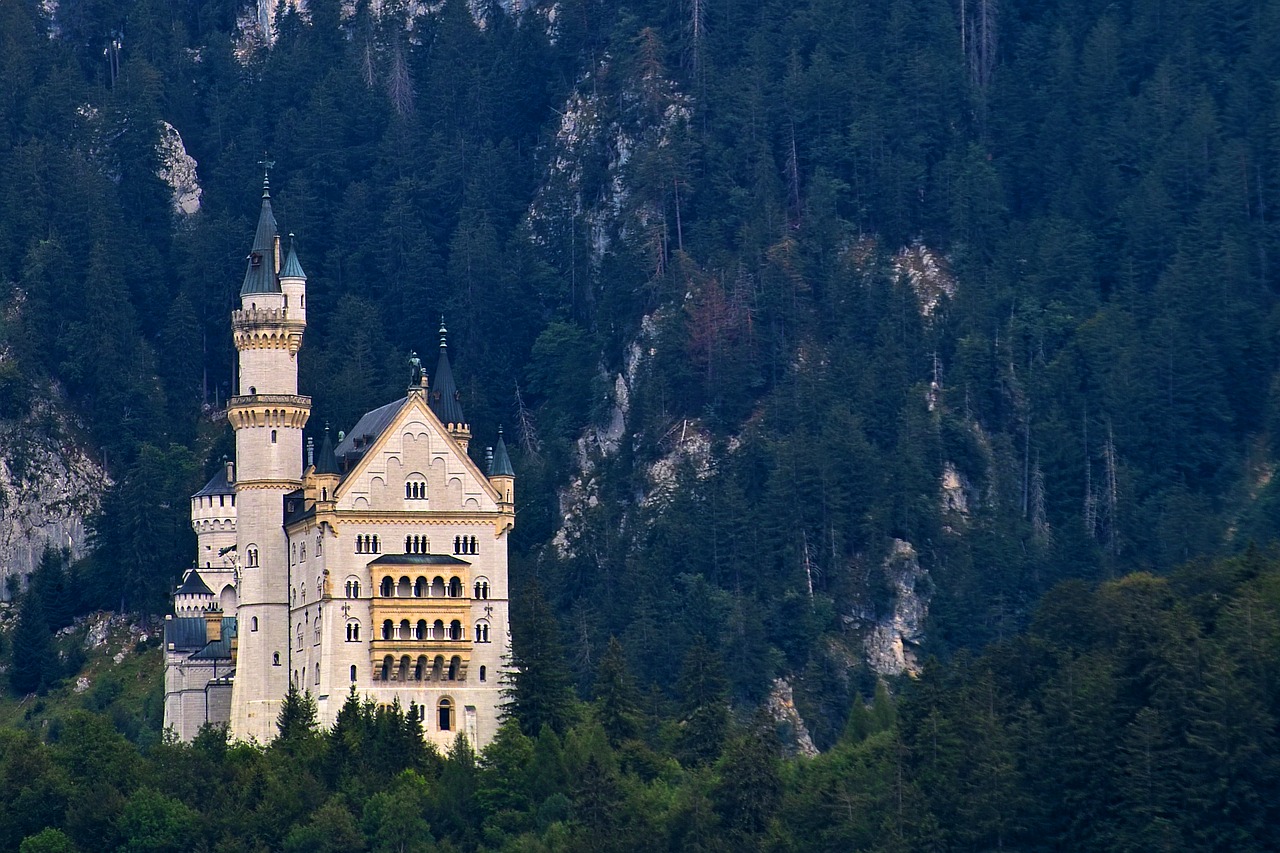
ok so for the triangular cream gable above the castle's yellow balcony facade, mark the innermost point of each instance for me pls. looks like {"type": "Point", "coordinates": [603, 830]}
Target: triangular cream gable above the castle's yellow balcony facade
{"type": "Point", "coordinates": [412, 457]}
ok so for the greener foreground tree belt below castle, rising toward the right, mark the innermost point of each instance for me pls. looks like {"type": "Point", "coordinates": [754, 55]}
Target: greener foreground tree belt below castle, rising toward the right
{"type": "Point", "coordinates": [1140, 715]}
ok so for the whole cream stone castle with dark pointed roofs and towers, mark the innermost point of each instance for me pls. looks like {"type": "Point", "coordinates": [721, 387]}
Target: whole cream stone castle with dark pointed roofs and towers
{"type": "Point", "coordinates": [378, 564]}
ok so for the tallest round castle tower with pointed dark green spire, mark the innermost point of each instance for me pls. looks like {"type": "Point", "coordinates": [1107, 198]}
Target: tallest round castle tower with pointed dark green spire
{"type": "Point", "coordinates": [268, 416]}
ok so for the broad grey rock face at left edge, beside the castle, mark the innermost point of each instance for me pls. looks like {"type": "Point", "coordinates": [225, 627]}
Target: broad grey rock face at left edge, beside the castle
{"type": "Point", "coordinates": [48, 489]}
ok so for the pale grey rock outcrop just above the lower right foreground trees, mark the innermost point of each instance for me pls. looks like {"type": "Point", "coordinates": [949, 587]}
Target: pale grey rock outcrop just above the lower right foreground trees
{"type": "Point", "coordinates": [893, 640]}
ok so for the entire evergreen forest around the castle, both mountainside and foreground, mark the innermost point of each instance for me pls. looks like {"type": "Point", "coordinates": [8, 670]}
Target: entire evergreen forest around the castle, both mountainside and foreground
{"type": "Point", "coordinates": [766, 297]}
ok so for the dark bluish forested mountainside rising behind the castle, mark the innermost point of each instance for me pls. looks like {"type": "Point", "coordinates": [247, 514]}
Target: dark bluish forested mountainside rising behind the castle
{"type": "Point", "coordinates": [794, 311]}
